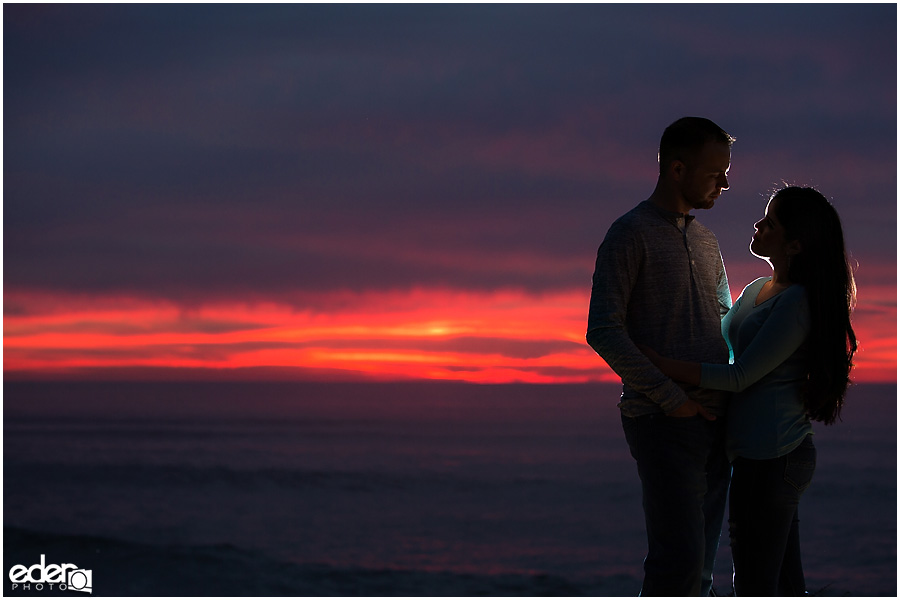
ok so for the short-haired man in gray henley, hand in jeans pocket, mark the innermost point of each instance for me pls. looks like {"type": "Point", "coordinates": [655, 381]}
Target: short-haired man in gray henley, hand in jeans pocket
{"type": "Point", "coordinates": [660, 282]}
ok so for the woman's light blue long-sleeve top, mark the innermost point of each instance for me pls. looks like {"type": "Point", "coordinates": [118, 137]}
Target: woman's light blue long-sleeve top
{"type": "Point", "coordinates": [766, 415]}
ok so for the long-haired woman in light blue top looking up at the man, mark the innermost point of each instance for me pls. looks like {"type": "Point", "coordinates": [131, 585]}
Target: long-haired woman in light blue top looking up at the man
{"type": "Point", "coordinates": [792, 342]}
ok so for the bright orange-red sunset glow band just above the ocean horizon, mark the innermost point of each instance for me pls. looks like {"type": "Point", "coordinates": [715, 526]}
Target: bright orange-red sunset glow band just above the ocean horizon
{"type": "Point", "coordinates": [496, 337]}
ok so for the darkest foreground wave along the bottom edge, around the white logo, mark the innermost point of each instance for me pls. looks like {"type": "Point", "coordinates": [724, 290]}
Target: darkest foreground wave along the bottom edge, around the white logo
{"type": "Point", "coordinates": [123, 568]}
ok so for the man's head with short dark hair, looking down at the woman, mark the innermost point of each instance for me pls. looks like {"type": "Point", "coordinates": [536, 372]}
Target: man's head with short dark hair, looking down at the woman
{"type": "Point", "coordinates": [694, 158]}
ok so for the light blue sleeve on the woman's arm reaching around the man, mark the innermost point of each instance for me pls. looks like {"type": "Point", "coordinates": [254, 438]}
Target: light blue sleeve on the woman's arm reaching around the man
{"type": "Point", "coordinates": [783, 332]}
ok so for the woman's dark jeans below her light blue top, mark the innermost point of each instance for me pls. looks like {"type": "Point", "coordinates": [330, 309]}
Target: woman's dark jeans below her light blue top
{"type": "Point", "coordinates": [764, 525]}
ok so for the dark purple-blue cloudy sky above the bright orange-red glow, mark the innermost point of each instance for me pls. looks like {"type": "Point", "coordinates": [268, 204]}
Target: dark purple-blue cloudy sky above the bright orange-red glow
{"type": "Point", "coordinates": [195, 153]}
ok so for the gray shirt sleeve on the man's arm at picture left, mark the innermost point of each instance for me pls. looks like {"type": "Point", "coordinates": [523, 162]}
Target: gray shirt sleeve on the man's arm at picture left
{"type": "Point", "coordinates": [618, 262]}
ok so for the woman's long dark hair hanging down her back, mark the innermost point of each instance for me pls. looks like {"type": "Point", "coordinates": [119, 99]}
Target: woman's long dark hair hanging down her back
{"type": "Point", "coordinates": [822, 268]}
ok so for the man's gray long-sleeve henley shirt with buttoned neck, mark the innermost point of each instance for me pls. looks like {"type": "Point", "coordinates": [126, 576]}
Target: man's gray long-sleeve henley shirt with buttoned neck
{"type": "Point", "coordinates": [659, 281]}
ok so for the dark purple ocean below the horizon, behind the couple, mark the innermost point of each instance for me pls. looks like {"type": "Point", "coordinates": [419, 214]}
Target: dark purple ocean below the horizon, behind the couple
{"type": "Point", "coordinates": [382, 489]}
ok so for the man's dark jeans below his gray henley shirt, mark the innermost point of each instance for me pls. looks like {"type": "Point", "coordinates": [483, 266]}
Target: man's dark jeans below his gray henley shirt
{"type": "Point", "coordinates": [684, 476]}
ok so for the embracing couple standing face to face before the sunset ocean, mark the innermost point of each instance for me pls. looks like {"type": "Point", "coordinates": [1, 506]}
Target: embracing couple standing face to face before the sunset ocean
{"type": "Point", "coordinates": [714, 393]}
